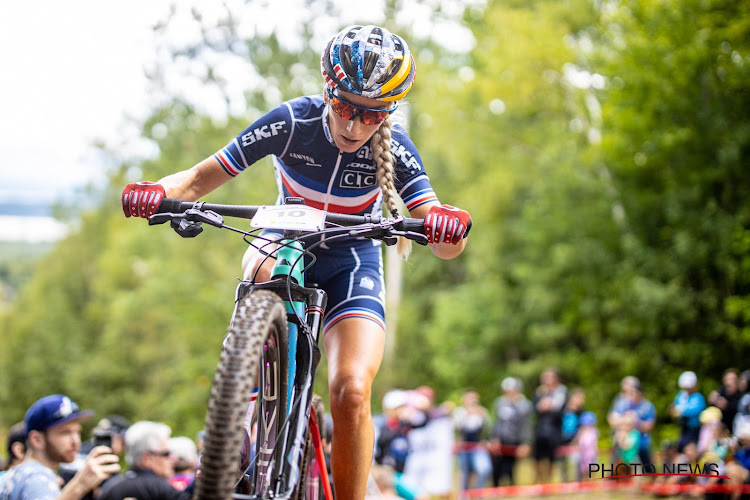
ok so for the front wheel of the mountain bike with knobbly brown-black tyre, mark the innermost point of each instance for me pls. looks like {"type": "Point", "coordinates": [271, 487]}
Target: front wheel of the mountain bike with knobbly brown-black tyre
{"type": "Point", "coordinates": [257, 341]}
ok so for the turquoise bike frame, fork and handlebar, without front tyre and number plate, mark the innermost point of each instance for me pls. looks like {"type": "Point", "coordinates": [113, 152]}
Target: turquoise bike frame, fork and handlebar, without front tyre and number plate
{"type": "Point", "coordinates": [304, 306]}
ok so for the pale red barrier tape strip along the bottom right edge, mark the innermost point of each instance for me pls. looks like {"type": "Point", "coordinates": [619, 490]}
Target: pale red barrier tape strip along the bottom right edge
{"type": "Point", "coordinates": [601, 485]}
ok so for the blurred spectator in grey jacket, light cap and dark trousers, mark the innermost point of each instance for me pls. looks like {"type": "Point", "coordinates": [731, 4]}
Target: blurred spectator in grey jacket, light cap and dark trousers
{"type": "Point", "coordinates": [513, 432]}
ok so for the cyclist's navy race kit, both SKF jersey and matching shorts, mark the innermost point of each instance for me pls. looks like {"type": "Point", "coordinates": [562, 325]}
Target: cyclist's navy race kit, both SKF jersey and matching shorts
{"type": "Point", "coordinates": [309, 165]}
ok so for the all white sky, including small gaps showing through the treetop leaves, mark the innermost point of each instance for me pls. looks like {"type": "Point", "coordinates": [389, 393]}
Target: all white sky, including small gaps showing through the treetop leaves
{"type": "Point", "coordinates": [72, 73]}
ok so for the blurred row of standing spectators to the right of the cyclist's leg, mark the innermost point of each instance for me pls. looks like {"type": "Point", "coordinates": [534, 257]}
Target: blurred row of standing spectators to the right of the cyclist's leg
{"type": "Point", "coordinates": [551, 427]}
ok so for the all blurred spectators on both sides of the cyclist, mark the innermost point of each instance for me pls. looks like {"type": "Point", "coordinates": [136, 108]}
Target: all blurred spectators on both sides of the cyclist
{"type": "Point", "coordinates": [419, 443]}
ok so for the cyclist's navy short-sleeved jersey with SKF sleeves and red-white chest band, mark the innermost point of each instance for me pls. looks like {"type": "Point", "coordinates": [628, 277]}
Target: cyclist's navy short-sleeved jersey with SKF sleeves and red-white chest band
{"type": "Point", "coordinates": [309, 165]}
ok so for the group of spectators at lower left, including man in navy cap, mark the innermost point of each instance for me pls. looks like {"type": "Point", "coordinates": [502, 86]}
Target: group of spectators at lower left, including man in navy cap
{"type": "Point", "coordinates": [47, 459]}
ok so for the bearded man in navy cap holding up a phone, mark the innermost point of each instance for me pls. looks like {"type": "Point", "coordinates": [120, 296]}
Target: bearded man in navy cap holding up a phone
{"type": "Point", "coordinates": [53, 436]}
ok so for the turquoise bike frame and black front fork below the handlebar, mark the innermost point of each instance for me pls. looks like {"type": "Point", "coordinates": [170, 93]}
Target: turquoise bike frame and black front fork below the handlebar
{"type": "Point", "coordinates": [306, 303]}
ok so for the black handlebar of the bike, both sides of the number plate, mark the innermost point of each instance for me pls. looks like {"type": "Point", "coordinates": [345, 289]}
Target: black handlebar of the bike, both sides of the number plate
{"type": "Point", "coordinates": [404, 225]}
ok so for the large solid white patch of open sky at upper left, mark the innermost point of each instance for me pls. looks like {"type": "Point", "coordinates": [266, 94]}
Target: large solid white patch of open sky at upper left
{"type": "Point", "coordinates": [69, 73]}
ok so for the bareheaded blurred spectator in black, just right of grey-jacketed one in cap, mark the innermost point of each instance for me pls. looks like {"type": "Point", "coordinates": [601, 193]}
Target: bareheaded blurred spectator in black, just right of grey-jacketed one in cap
{"type": "Point", "coordinates": [549, 401]}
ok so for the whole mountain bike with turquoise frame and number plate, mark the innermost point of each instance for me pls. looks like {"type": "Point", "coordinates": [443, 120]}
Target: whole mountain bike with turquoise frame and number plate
{"type": "Point", "coordinates": [272, 349]}
